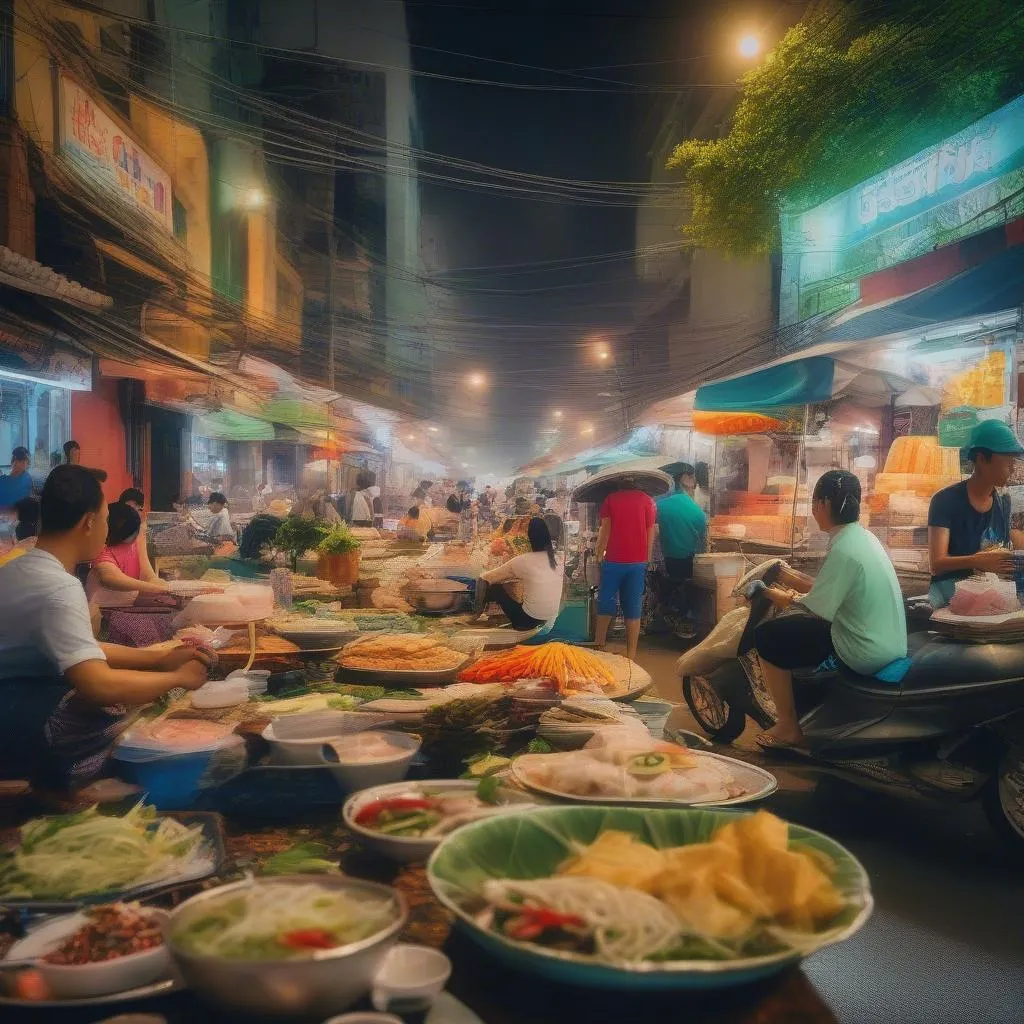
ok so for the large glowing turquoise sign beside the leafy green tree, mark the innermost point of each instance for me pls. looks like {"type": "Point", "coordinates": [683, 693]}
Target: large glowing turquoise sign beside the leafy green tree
{"type": "Point", "coordinates": [964, 186]}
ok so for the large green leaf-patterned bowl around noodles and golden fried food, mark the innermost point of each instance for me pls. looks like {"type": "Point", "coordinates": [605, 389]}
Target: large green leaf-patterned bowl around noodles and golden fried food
{"type": "Point", "coordinates": [533, 844]}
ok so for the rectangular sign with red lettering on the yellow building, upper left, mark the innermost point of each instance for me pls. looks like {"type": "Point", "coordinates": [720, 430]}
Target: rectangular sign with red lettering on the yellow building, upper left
{"type": "Point", "coordinates": [104, 153]}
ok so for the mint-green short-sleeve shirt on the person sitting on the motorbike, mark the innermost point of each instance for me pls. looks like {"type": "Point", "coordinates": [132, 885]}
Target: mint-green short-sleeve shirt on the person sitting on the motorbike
{"type": "Point", "coordinates": [858, 591]}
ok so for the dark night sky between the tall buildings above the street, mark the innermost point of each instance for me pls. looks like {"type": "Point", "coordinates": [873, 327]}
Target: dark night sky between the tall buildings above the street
{"type": "Point", "coordinates": [528, 329]}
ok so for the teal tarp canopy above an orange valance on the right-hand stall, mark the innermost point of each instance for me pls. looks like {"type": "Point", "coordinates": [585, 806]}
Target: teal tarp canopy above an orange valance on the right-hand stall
{"type": "Point", "coordinates": [797, 383]}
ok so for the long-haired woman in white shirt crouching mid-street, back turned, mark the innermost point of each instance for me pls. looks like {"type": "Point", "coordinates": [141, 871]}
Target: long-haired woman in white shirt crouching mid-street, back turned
{"type": "Point", "coordinates": [541, 576]}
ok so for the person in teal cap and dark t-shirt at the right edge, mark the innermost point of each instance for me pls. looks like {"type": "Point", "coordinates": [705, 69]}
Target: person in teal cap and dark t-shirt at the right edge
{"type": "Point", "coordinates": [969, 523]}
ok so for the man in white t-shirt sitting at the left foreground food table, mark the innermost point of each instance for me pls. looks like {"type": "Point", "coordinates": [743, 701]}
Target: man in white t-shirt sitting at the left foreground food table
{"type": "Point", "coordinates": [64, 696]}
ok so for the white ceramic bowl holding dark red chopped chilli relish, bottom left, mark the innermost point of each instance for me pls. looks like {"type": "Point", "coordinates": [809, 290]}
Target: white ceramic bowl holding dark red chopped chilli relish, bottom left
{"type": "Point", "coordinates": [90, 980]}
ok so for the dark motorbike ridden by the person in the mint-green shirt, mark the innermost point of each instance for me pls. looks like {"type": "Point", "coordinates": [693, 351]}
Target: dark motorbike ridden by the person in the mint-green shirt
{"type": "Point", "coordinates": [952, 730]}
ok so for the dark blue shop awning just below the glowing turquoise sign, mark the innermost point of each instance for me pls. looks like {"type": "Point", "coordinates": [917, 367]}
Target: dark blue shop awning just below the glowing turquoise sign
{"type": "Point", "coordinates": [993, 287]}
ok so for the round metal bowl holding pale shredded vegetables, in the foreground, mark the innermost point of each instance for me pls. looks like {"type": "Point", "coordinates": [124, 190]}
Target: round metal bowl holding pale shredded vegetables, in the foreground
{"type": "Point", "coordinates": [326, 984]}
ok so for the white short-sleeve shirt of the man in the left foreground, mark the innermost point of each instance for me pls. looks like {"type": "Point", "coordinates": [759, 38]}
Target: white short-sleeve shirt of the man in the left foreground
{"type": "Point", "coordinates": [45, 619]}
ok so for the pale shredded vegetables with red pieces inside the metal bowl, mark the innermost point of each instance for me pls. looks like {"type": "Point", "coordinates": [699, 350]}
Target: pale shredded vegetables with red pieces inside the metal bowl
{"type": "Point", "coordinates": [283, 922]}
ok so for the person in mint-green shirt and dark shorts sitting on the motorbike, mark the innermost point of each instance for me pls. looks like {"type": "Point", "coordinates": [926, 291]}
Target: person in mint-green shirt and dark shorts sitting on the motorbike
{"type": "Point", "coordinates": [855, 609]}
